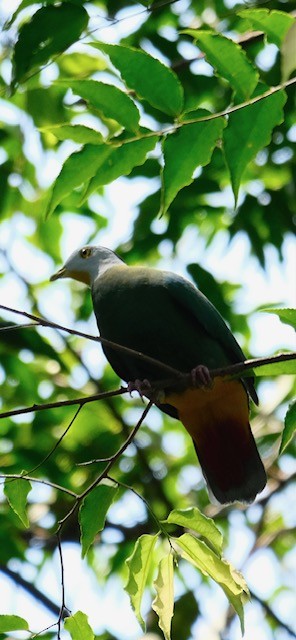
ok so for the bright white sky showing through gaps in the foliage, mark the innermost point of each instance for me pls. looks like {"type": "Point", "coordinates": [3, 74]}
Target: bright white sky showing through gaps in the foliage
{"type": "Point", "coordinates": [276, 285]}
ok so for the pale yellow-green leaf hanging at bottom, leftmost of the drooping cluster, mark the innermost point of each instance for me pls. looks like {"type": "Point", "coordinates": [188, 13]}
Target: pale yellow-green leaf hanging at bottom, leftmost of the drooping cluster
{"type": "Point", "coordinates": [138, 565]}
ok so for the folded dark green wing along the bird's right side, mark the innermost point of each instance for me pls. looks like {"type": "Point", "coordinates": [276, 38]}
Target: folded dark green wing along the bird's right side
{"type": "Point", "coordinates": [206, 315]}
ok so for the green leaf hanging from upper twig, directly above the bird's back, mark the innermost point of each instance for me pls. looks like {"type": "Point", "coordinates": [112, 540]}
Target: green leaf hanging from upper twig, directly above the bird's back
{"type": "Point", "coordinates": [184, 150]}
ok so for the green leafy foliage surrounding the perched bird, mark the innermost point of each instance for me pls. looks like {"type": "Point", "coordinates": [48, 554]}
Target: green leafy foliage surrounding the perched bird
{"type": "Point", "coordinates": [186, 102]}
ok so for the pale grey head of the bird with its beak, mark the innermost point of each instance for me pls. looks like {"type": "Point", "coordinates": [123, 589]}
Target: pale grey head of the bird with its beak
{"type": "Point", "coordinates": [87, 264]}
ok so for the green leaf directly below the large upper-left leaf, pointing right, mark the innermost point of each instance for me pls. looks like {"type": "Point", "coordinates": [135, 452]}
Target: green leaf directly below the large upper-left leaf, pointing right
{"type": "Point", "coordinates": [108, 100]}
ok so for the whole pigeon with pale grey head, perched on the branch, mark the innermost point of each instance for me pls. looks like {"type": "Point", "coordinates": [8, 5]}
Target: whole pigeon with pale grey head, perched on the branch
{"type": "Point", "coordinates": [165, 317]}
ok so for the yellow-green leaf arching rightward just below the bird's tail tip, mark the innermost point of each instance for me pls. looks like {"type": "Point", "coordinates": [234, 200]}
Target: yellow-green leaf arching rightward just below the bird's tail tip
{"type": "Point", "coordinates": [192, 518]}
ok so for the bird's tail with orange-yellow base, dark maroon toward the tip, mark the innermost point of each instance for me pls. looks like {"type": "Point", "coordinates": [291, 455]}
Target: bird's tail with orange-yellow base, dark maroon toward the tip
{"type": "Point", "coordinates": [218, 421]}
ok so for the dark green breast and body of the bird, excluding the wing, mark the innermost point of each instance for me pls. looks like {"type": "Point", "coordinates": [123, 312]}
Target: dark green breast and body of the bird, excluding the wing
{"type": "Point", "coordinates": [135, 307]}
